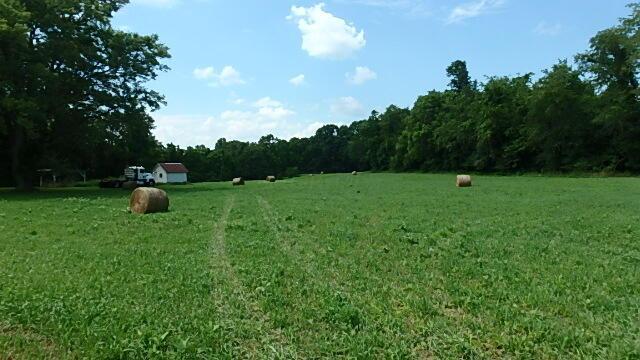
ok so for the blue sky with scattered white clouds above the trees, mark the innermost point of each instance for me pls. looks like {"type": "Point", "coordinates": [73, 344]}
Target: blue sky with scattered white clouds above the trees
{"type": "Point", "coordinates": [247, 68]}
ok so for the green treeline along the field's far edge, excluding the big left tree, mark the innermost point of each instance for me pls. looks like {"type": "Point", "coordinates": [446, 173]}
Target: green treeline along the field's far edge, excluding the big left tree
{"type": "Point", "coordinates": [583, 117]}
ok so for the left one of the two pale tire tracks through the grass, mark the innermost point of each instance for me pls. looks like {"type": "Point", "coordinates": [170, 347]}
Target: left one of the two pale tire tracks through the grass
{"type": "Point", "coordinates": [255, 337]}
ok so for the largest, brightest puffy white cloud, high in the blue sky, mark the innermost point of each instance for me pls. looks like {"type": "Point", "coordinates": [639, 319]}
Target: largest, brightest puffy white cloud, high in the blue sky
{"type": "Point", "coordinates": [324, 35]}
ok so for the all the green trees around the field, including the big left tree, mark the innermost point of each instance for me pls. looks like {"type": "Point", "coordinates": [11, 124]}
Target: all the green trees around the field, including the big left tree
{"type": "Point", "coordinates": [582, 115]}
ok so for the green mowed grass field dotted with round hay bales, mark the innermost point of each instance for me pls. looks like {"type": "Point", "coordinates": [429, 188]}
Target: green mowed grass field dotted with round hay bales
{"type": "Point", "coordinates": [367, 266]}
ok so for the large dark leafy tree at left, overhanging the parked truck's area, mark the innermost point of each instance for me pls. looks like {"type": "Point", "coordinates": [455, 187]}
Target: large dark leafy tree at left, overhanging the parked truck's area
{"type": "Point", "coordinates": [67, 74]}
